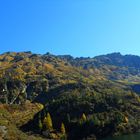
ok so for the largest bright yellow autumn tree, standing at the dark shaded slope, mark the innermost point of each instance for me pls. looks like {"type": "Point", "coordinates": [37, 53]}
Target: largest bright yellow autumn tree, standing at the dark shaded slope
{"type": "Point", "coordinates": [48, 122]}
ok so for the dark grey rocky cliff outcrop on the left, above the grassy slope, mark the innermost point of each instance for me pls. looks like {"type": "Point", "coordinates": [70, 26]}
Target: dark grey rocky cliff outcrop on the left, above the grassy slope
{"type": "Point", "coordinates": [17, 92]}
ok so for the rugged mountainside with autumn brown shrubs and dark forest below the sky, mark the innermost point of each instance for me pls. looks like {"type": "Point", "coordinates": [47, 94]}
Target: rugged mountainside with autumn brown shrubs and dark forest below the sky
{"type": "Point", "coordinates": [96, 96]}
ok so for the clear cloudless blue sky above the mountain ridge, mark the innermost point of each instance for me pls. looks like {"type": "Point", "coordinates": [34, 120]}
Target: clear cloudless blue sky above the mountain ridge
{"type": "Point", "coordinates": [76, 27]}
